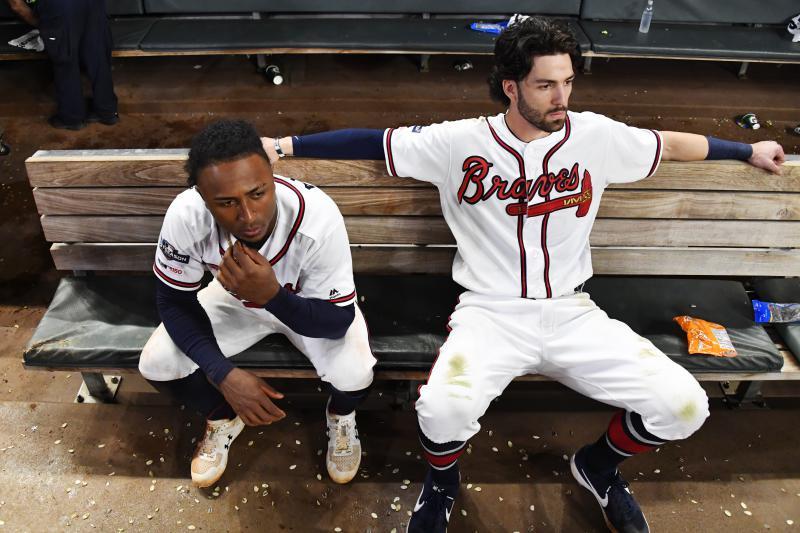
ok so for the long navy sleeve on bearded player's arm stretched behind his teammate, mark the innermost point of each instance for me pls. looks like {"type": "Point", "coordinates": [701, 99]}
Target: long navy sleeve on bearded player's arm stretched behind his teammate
{"type": "Point", "coordinates": [354, 143]}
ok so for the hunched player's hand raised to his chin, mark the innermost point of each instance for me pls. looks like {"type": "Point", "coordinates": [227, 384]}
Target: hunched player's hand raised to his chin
{"type": "Point", "coordinates": [248, 275]}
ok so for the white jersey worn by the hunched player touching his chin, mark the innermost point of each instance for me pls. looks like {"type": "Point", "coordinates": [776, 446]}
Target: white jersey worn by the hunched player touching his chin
{"type": "Point", "coordinates": [308, 249]}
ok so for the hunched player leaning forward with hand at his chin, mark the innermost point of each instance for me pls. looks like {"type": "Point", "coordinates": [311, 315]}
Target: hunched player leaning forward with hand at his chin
{"type": "Point", "coordinates": [280, 258]}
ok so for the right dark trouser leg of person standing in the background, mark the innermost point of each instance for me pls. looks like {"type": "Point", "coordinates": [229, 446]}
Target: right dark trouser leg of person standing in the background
{"type": "Point", "coordinates": [95, 51]}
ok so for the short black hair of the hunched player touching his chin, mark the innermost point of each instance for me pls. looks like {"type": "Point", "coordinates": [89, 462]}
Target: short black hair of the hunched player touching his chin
{"type": "Point", "coordinates": [224, 140]}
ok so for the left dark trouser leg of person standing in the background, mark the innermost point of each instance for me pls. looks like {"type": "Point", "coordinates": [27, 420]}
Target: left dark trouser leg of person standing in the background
{"type": "Point", "coordinates": [61, 26]}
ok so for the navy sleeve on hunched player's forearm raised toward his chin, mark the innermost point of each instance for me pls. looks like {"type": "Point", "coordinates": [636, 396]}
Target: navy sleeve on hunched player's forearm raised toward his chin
{"type": "Point", "coordinates": [311, 317]}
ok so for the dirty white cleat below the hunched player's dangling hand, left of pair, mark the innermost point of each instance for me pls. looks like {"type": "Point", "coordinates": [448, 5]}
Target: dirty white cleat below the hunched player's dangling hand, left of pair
{"type": "Point", "coordinates": [211, 455]}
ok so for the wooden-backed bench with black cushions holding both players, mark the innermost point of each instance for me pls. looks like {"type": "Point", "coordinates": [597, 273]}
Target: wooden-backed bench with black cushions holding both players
{"type": "Point", "coordinates": [680, 242]}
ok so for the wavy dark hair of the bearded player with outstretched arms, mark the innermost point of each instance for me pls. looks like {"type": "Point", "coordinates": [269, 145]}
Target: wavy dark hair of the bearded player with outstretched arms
{"type": "Point", "coordinates": [516, 46]}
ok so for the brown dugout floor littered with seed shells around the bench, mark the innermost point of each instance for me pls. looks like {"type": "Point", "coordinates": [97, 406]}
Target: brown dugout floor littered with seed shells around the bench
{"type": "Point", "coordinates": [739, 458]}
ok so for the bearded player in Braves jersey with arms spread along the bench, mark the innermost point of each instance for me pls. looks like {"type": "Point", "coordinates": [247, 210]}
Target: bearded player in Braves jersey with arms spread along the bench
{"type": "Point", "coordinates": [520, 192]}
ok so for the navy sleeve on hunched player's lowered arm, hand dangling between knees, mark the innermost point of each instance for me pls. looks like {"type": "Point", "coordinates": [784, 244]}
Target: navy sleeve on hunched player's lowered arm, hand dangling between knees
{"type": "Point", "coordinates": [190, 329]}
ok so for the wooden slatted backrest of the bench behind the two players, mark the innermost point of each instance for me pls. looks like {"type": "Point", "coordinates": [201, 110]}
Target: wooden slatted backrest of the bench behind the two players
{"type": "Point", "coordinates": [102, 210]}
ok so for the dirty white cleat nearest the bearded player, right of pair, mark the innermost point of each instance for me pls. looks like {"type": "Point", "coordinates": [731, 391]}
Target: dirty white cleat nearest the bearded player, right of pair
{"type": "Point", "coordinates": [344, 448]}
